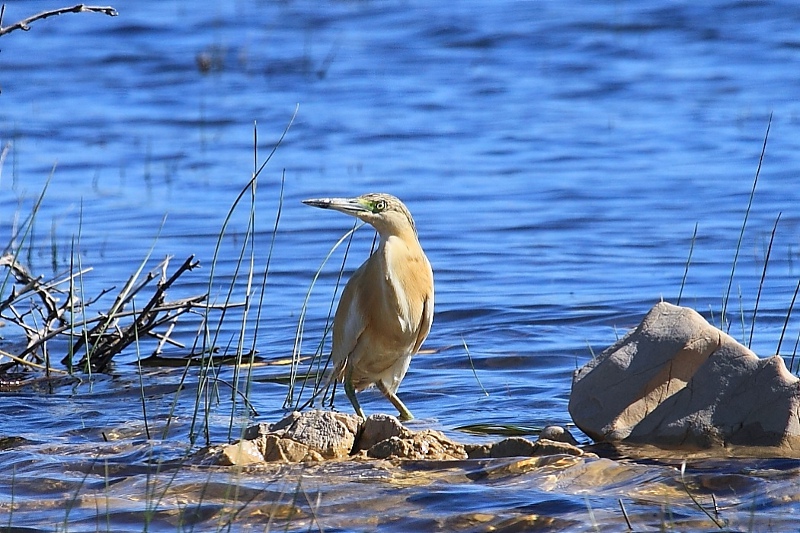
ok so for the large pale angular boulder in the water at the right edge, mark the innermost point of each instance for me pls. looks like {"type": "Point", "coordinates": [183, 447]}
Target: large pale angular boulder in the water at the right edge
{"type": "Point", "coordinates": [675, 380]}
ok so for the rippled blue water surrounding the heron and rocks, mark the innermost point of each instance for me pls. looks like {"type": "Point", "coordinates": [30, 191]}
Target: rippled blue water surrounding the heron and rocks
{"type": "Point", "coordinates": [556, 159]}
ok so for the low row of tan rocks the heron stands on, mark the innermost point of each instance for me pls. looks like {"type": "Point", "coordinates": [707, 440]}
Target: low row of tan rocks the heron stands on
{"type": "Point", "coordinates": [325, 435]}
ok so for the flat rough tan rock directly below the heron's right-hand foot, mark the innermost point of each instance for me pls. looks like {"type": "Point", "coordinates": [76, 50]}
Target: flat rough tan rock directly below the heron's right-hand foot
{"type": "Point", "coordinates": [426, 444]}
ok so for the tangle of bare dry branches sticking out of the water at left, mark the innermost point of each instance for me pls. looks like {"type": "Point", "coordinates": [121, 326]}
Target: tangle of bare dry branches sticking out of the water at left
{"type": "Point", "coordinates": [35, 307]}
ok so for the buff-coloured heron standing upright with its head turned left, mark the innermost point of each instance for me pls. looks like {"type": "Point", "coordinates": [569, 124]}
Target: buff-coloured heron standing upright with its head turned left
{"type": "Point", "coordinates": [386, 308]}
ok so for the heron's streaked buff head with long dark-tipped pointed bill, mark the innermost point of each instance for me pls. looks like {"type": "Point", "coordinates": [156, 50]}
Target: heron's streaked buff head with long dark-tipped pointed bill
{"type": "Point", "coordinates": [386, 213]}
